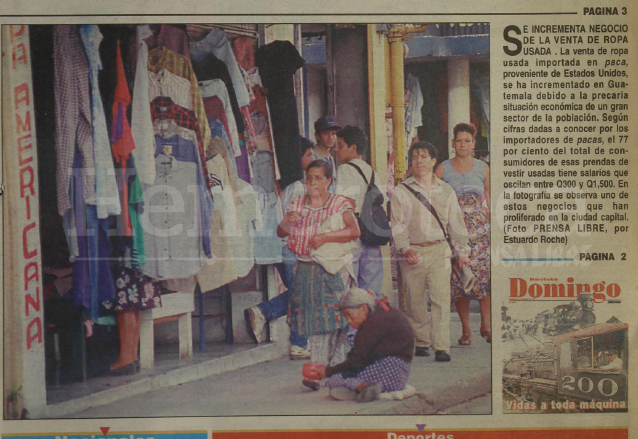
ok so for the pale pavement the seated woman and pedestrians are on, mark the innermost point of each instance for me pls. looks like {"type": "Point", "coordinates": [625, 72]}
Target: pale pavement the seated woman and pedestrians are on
{"type": "Point", "coordinates": [274, 388]}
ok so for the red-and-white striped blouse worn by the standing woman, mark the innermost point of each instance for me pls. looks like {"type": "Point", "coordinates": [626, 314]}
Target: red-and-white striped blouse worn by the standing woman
{"type": "Point", "coordinates": [311, 220]}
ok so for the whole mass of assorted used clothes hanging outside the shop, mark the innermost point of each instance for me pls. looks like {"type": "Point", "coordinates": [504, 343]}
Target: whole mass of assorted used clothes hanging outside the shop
{"type": "Point", "coordinates": [159, 171]}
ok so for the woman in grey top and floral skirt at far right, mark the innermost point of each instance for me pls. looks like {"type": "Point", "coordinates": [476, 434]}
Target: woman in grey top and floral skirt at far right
{"type": "Point", "coordinates": [470, 179]}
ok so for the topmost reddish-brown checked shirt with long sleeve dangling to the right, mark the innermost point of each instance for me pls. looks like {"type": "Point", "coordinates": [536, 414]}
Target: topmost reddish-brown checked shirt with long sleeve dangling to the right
{"type": "Point", "coordinates": [163, 58]}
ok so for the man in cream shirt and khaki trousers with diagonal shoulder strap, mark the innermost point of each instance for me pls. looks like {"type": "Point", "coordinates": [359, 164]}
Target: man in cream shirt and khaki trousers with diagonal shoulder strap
{"type": "Point", "coordinates": [423, 252]}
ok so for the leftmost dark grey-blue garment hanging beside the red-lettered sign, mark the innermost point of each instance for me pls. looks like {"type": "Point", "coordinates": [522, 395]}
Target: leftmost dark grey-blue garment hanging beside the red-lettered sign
{"type": "Point", "coordinates": [73, 127]}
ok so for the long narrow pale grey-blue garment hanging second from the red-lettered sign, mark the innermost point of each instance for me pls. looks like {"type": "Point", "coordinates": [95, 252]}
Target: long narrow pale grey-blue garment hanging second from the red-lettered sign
{"type": "Point", "coordinates": [107, 196]}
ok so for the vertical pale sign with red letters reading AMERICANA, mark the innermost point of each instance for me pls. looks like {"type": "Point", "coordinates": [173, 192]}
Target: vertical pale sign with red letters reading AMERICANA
{"type": "Point", "coordinates": [22, 254]}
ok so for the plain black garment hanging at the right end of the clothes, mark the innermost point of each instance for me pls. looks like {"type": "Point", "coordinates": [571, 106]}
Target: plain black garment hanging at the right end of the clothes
{"type": "Point", "coordinates": [277, 63]}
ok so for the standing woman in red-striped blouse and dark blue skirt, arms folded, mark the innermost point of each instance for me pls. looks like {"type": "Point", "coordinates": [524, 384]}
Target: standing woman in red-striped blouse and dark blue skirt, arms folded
{"type": "Point", "coordinates": [315, 294]}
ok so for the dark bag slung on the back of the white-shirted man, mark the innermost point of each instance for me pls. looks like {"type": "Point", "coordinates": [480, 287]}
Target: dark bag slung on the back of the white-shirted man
{"type": "Point", "coordinates": [373, 219]}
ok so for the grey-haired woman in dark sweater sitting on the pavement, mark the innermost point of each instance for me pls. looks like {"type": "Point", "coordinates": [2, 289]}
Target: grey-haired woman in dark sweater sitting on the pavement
{"type": "Point", "coordinates": [382, 354]}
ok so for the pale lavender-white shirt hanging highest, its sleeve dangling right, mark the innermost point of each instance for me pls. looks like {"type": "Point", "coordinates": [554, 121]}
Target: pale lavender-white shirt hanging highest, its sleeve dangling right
{"type": "Point", "coordinates": [217, 43]}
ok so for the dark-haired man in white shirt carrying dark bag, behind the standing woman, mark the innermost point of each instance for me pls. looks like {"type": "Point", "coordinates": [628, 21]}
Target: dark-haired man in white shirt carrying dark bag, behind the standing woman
{"type": "Point", "coordinates": [352, 144]}
